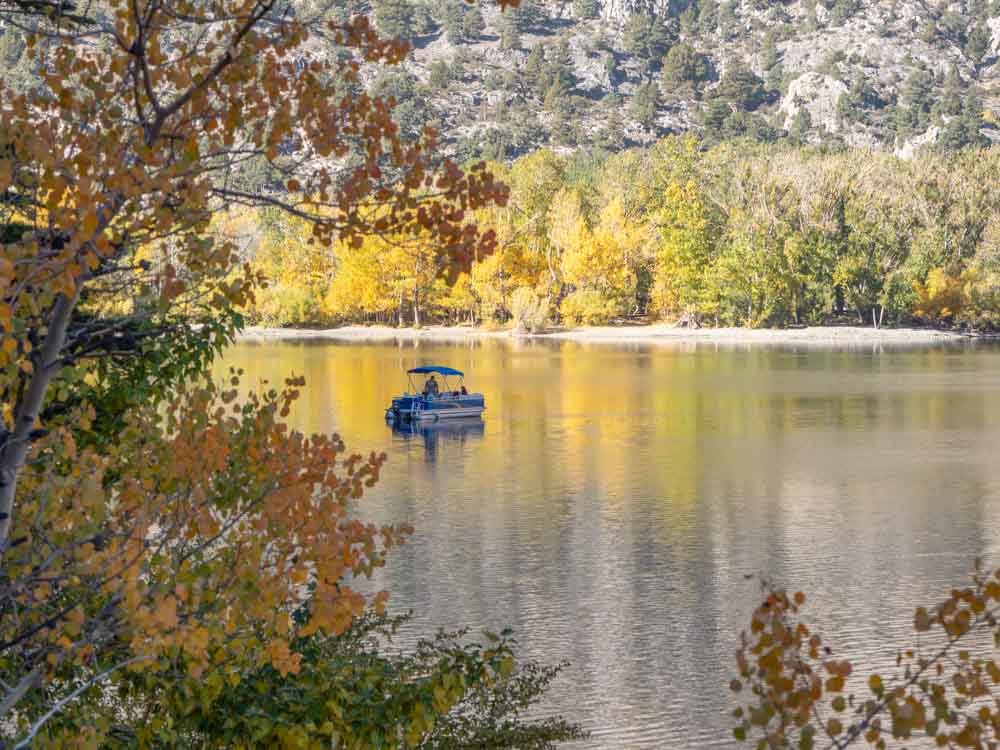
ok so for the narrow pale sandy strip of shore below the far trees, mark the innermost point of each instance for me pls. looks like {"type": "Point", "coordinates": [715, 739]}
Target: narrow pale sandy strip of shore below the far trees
{"type": "Point", "coordinates": [831, 335]}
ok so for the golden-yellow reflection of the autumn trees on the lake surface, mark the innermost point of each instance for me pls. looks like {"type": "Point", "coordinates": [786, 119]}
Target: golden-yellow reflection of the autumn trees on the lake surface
{"type": "Point", "coordinates": [673, 424]}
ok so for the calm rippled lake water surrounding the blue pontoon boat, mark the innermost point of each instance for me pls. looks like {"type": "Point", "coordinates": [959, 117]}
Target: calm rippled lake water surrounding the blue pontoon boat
{"type": "Point", "coordinates": [614, 497]}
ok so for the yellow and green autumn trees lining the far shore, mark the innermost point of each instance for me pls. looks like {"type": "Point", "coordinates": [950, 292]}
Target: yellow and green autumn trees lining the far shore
{"type": "Point", "coordinates": [736, 235]}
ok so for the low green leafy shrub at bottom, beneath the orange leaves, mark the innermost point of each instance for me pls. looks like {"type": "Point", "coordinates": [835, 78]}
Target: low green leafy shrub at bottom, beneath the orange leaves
{"type": "Point", "coordinates": [357, 689]}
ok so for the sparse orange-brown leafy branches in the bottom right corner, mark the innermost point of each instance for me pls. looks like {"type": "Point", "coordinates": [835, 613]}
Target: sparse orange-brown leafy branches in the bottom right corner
{"type": "Point", "coordinates": [944, 689]}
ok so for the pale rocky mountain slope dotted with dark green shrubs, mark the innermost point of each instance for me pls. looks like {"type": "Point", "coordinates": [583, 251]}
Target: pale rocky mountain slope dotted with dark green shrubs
{"type": "Point", "coordinates": [887, 74]}
